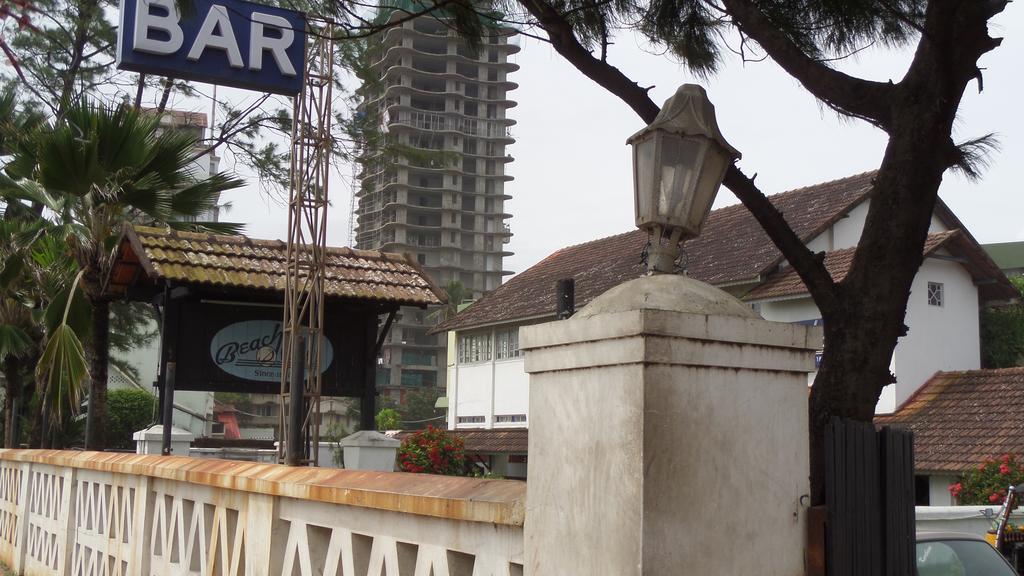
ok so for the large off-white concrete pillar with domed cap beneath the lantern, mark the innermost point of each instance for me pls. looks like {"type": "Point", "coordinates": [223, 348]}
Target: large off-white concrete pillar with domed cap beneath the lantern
{"type": "Point", "coordinates": [668, 435]}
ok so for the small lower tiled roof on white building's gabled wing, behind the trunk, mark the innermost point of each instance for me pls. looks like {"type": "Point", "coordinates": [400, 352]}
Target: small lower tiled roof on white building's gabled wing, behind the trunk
{"type": "Point", "coordinates": [838, 263]}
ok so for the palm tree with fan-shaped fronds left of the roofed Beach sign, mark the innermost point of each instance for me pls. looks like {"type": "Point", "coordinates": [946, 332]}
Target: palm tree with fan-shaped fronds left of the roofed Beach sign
{"type": "Point", "coordinates": [95, 171]}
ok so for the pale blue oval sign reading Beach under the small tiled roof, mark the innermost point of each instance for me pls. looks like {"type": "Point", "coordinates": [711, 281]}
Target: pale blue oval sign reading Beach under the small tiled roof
{"type": "Point", "coordinates": [251, 350]}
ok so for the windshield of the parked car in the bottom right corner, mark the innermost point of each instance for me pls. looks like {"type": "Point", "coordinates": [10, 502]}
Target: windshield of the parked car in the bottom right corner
{"type": "Point", "coordinates": [960, 558]}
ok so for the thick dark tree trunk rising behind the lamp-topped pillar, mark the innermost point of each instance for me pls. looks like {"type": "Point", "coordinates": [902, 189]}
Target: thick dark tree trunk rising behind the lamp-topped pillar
{"type": "Point", "coordinates": [863, 330]}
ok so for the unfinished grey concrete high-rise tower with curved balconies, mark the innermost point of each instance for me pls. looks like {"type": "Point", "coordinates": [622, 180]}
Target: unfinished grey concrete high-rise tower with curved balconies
{"type": "Point", "coordinates": [435, 184]}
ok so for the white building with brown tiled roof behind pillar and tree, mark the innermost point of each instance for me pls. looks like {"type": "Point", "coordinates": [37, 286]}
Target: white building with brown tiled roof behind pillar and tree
{"type": "Point", "coordinates": [488, 388]}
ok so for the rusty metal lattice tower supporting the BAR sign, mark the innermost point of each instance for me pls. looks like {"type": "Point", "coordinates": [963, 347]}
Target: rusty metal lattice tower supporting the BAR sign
{"type": "Point", "coordinates": [304, 315]}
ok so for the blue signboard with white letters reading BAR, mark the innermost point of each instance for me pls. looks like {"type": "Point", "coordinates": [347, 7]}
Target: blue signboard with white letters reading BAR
{"type": "Point", "coordinates": [227, 43]}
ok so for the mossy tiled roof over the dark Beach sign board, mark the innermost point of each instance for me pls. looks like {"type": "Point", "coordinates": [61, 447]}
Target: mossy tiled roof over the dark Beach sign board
{"type": "Point", "coordinates": [246, 264]}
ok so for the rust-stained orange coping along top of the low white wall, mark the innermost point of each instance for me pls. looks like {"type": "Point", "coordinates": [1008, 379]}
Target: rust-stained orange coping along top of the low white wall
{"type": "Point", "coordinates": [458, 499]}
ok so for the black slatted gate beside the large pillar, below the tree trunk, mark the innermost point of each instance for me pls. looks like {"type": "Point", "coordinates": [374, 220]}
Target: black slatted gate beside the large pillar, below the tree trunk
{"type": "Point", "coordinates": [870, 498]}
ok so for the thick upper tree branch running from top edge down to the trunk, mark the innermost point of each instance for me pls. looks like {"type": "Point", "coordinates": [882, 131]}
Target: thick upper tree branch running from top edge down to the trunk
{"type": "Point", "coordinates": [846, 95]}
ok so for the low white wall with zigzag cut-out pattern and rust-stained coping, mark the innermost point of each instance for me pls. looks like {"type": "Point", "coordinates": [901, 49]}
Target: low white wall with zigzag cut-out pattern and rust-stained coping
{"type": "Point", "coordinates": [88, 514]}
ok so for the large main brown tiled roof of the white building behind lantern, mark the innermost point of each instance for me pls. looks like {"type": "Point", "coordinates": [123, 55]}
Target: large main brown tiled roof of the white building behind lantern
{"type": "Point", "coordinates": [733, 249]}
